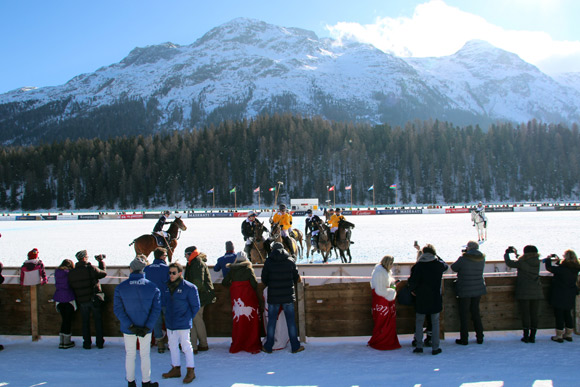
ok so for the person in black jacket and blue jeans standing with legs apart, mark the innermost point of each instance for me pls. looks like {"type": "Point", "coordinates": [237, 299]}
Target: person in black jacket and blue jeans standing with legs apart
{"type": "Point", "coordinates": [280, 275]}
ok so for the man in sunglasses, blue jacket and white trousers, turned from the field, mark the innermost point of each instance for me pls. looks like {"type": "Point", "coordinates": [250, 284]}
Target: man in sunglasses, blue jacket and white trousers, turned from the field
{"type": "Point", "coordinates": [181, 301]}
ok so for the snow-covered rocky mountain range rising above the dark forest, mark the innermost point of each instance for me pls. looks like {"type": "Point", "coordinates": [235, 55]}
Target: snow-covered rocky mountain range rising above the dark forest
{"type": "Point", "coordinates": [246, 67]}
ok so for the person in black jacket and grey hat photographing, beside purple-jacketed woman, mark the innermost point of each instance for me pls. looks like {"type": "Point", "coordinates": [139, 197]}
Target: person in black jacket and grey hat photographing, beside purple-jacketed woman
{"type": "Point", "coordinates": [84, 280]}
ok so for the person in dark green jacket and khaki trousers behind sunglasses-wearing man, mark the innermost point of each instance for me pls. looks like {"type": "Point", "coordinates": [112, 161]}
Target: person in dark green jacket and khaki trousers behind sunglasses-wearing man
{"type": "Point", "coordinates": [197, 273]}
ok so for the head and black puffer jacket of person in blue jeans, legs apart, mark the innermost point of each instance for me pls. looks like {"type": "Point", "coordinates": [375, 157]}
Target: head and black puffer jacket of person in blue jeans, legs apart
{"type": "Point", "coordinates": [279, 274]}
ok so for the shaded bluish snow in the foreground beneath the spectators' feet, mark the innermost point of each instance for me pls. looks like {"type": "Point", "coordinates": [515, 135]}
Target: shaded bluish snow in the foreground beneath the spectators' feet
{"type": "Point", "coordinates": [502, 360]}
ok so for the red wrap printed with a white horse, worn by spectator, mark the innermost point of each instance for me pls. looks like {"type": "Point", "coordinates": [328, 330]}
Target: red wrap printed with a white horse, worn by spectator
{"type": "Point", "coordinates": [246, 323]}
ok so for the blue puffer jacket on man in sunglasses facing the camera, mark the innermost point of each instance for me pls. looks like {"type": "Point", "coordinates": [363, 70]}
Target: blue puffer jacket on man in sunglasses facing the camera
{"type": "Point", "coordinates": [181, 306]}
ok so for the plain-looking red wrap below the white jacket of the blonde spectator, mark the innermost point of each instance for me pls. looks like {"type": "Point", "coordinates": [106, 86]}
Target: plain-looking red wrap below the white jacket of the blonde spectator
{"type": "Point", "coordinates": [385, 328]}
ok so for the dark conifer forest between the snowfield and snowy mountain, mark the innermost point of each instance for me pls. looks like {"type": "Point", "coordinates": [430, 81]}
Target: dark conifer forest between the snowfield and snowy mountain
{"type": "Point", "coordinates": [431, 162]}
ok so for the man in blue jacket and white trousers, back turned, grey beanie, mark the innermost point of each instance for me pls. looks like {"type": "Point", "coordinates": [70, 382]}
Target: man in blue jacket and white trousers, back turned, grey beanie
{"type": "Point", "coordinates": [137, 306]}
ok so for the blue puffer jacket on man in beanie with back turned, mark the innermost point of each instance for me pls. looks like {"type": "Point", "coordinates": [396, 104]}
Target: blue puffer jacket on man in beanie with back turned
{"type": "Point", "coordinates": [137, 302]}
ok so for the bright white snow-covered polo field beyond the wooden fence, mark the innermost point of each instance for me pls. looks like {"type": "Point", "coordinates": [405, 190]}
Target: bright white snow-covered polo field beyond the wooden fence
{"type": "Point", "coordinates": [374, 236]}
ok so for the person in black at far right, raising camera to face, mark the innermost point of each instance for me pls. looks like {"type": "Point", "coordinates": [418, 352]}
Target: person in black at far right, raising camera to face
{"type": "Point", "coordinates": [563, 293]}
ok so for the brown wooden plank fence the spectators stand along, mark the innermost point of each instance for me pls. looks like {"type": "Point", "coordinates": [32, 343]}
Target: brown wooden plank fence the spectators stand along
{"type": "Point", "coordinates": [329, 310]}
